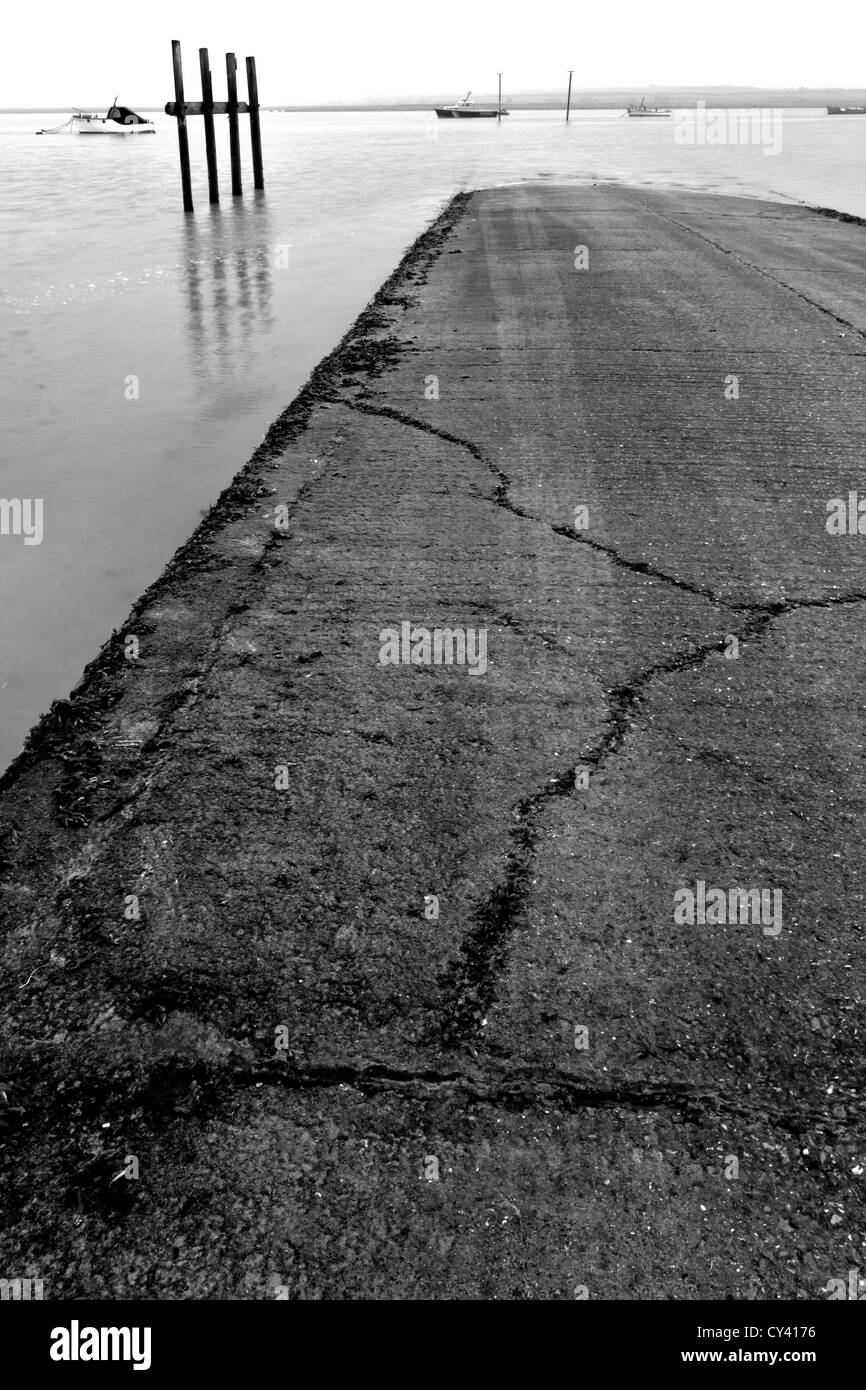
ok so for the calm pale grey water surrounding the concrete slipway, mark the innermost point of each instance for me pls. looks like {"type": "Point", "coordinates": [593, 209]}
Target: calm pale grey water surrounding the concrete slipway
{"type": "Point", "coordinates": [102, 277]}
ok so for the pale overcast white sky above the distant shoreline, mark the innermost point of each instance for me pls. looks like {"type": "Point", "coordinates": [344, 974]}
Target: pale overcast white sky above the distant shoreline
{"type": "Point", "coordinates": [65, 54]}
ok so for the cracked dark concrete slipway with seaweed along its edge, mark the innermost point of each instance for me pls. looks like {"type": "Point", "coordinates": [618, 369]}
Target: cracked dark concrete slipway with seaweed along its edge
{"type": "Point", "coordinates": [326, 978]}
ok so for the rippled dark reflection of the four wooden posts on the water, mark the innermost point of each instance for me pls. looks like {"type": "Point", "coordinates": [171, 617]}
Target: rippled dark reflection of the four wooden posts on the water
{"type": "Point", "coordinates": [227, 256]}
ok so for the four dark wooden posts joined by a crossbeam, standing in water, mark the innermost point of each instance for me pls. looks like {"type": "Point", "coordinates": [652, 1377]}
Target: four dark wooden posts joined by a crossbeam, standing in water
{"type": "Point", "coordinates": [208, 109]}
